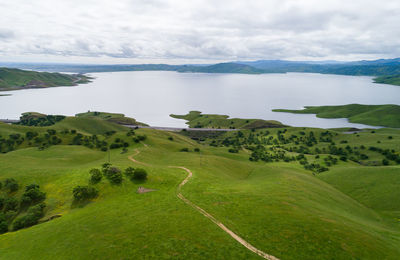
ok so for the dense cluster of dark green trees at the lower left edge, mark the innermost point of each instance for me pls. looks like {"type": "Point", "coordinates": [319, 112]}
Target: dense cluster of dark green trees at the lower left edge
{"type": "Point", "coordinates": [30, 205]}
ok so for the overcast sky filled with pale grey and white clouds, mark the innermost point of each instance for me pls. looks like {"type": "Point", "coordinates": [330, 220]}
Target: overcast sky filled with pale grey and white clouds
{"type": "Point", "coordinates": [197, 31]}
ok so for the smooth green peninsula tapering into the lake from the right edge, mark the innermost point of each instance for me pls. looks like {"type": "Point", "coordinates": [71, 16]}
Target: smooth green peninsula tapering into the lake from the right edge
{"type": "Point", "coordinates": [377, 115]}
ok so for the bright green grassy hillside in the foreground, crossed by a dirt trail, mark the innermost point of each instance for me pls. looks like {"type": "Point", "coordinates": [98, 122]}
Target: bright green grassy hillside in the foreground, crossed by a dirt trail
{"type": "Point", "coordinates": [350, 211]}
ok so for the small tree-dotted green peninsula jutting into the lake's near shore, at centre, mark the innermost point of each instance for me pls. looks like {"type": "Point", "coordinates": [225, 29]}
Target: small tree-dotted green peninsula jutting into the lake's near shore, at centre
{"type": "Point", "coordinates": [196, 119]}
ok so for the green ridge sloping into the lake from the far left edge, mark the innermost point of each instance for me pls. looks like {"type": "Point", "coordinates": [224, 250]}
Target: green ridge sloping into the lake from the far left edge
{"type": "Point", "coordinates": [13, 79]}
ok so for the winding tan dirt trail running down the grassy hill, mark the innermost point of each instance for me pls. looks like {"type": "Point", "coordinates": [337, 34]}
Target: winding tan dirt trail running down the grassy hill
{"type": "Point", "coordinates": [208, 215]}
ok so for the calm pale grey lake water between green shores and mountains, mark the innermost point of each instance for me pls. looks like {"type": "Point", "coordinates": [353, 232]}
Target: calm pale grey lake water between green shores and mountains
{"type": "Point", "coordinates": [151, 96]}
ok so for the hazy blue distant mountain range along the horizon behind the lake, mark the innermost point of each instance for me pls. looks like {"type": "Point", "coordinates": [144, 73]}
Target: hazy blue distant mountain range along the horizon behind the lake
{"type": "Point", "coordinates": [381, 67]}
